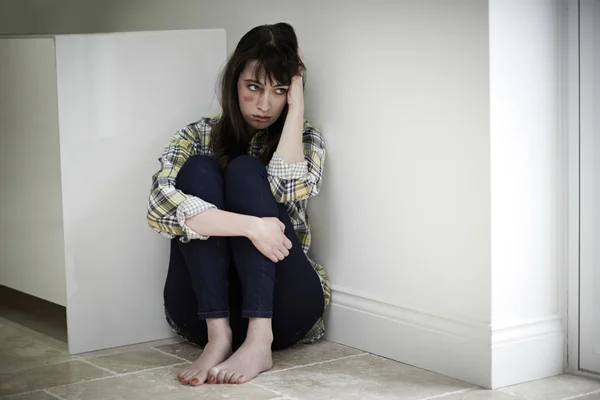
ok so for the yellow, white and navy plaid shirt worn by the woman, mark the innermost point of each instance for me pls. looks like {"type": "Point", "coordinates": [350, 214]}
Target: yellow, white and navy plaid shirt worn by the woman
{"type": "Point", "coordinates": [291, 183]}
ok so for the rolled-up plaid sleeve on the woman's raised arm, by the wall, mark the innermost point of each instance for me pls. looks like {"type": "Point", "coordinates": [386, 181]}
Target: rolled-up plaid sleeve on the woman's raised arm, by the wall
{"type": "Point", "coordinates": [299, 180]}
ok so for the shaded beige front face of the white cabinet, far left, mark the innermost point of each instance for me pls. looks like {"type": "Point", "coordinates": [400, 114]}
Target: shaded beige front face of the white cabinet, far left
{"type": "Point", "coordinates": [31, 228]}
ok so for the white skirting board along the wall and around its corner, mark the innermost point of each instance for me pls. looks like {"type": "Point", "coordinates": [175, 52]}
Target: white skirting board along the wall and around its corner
{"type": "Point", "coordinates": [459, 349]}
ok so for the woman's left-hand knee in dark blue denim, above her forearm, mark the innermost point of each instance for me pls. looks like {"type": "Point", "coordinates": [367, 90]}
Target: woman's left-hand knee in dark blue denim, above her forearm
{"type": "Point", "coordinates": [200, 176]}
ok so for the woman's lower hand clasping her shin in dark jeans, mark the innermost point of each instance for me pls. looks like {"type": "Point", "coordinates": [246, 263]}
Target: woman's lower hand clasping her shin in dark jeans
{"type": "Point", "coordinates": [268, 236]}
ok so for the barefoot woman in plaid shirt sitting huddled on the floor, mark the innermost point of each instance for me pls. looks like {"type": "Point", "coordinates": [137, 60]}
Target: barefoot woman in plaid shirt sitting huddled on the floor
{"type": "Point", "coordinates": [231, 194]}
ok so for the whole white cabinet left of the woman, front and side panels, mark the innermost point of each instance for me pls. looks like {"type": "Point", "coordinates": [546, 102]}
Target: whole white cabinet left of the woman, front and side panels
{"type": "Point", "coordinates": [83, 120]}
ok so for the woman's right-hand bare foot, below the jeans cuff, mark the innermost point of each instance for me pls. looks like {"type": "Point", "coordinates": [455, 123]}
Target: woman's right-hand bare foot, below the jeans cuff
{"type": "Point", "coordinates": [253, 357]}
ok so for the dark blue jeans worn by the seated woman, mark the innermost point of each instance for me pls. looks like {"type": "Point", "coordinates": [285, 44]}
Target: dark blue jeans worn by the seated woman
{"type": "Point", "coordinates": [228, 276]}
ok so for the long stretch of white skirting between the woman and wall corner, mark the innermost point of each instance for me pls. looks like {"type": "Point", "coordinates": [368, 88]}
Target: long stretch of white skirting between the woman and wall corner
{"type": "Point", "coordinates": [453, 348]}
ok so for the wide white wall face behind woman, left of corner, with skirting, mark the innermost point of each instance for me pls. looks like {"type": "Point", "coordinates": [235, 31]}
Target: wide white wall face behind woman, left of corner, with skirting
{"type": "Point", "coordinates": [401, 92]}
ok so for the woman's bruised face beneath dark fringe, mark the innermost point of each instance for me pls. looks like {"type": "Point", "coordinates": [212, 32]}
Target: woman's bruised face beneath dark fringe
{"type": "Point", "coordinates": [260, 103]}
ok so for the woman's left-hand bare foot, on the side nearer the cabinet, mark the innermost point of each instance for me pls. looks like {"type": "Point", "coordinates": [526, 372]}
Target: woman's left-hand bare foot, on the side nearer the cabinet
{"type": "Point", "coordinates": [217, 349]}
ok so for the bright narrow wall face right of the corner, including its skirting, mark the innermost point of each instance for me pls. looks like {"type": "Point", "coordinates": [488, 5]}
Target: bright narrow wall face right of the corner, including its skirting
{"type": "Point", "coordinates": [526, 188]}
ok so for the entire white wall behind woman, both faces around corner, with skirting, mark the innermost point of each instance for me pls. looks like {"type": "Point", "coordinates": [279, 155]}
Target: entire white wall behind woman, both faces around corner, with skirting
{"type": "Point", "coordinates": [413, 231]}
